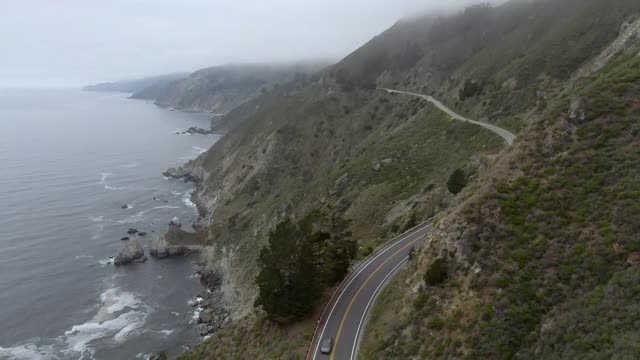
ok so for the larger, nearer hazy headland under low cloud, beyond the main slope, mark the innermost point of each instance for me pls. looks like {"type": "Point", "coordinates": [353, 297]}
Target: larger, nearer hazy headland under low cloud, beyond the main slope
{"type": "Point", "coordinates": [220, 89]}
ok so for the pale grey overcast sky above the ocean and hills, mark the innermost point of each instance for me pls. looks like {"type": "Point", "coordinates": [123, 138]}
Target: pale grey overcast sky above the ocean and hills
{"type": "Point", "coordinates": [84, 41]}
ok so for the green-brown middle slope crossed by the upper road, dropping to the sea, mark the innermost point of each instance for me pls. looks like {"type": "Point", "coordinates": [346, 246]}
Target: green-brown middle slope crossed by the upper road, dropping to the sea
{"type": "Point", "coordinates": [383, 161]}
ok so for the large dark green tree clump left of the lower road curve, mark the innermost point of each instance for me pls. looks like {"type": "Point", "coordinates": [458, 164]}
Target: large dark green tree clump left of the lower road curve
{"type": "Point", "coordinates": [300, 261]}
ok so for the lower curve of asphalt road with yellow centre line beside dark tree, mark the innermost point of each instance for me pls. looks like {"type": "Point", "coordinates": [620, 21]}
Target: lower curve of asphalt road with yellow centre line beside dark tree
{"type": "Point", "coordinates": [346, 314]}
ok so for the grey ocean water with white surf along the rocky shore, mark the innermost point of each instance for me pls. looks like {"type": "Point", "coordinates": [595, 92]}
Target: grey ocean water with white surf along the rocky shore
{"type": "Point", "coordinates": [69, 161]}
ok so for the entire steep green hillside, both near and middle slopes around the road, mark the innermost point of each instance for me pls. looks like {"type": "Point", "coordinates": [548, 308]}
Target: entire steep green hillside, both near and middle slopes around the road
{"type": "Point", "coordinates": [544, 224]}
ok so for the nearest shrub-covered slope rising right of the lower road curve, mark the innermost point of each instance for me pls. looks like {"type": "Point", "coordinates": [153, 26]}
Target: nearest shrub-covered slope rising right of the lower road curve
{"type": "Point", "coordinates": [541, 254]}
